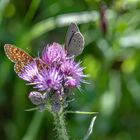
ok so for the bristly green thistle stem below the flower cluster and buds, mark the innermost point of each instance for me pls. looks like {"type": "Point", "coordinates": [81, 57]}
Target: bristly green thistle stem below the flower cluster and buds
{"type": "Point", "coordinates": [60, 126]}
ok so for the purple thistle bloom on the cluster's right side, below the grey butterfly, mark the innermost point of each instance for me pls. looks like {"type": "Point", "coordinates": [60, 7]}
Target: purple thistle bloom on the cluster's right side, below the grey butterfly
{"type": "Point", "coordinates": [72, 72]}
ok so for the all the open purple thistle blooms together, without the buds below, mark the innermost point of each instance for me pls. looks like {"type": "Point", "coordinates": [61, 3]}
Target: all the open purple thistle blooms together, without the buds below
{"type": "Point", "coordinates": [62, 71]}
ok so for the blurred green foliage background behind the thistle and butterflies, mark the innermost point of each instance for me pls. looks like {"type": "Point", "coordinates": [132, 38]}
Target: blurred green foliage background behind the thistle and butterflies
{"type": "Point", "coordinates": [111, 56]}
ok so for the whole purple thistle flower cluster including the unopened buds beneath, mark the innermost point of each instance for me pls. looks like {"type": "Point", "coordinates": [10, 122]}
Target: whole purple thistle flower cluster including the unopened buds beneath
{"type": "Point", "coordinates": [53, 73]}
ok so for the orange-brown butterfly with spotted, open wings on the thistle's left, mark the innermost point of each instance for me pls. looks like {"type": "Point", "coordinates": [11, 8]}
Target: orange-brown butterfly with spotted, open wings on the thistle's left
{"type": "Point", "coordinates": [21, 58]}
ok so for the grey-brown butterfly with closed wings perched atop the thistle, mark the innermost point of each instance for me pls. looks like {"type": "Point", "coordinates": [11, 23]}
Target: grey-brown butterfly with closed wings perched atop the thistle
{"type": "Point", "coordinates": [74, 43]}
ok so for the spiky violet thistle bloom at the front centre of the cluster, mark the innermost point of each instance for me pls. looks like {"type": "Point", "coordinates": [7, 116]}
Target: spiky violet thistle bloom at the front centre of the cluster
{"type": "Point", "coordinates": [49, 79]}
